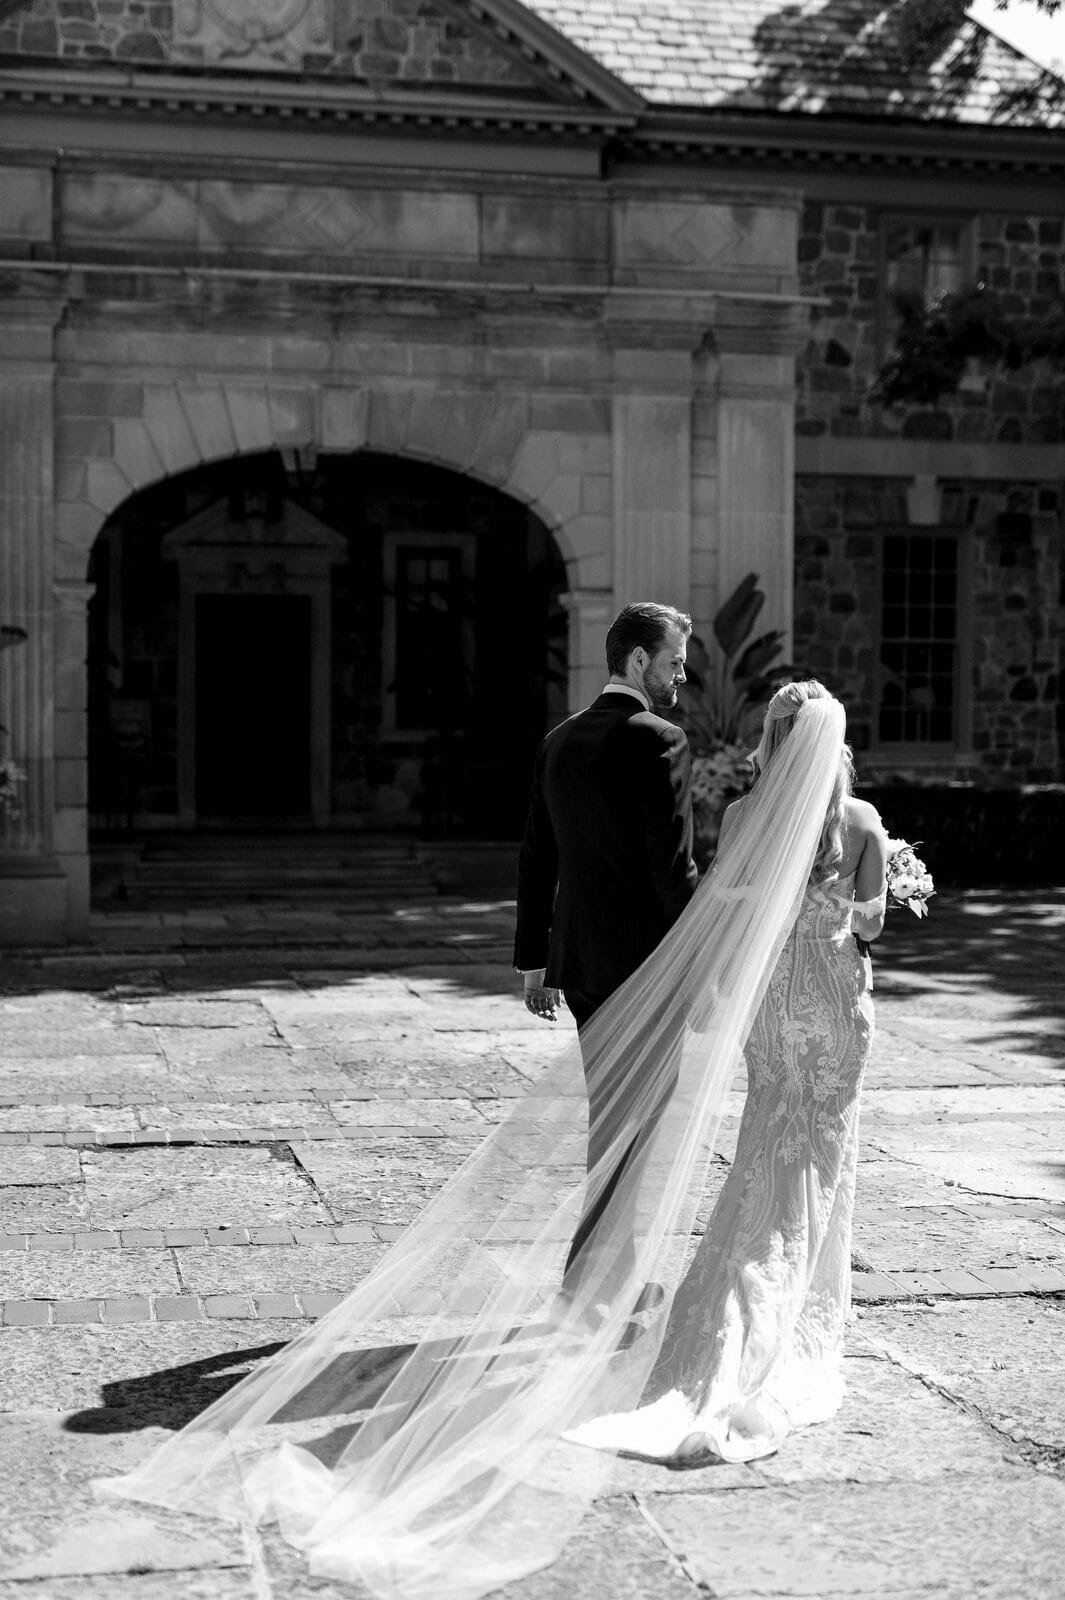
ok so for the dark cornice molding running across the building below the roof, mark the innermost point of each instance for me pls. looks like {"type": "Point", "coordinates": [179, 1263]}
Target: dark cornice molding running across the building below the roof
{"type": "Point", "coordinates": [604, 113]}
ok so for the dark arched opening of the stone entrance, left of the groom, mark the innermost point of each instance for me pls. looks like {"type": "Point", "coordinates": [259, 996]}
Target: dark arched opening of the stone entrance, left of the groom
{"type": "Point", "coordinates": [357, 642]}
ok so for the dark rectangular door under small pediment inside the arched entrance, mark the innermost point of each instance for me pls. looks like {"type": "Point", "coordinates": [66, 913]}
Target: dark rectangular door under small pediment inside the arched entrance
{"type": "Point", "coordinates": [253, 706]}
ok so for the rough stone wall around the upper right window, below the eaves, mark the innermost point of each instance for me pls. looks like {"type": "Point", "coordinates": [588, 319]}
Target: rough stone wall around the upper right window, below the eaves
{"type": "Point", "coordinates": [839, 250]}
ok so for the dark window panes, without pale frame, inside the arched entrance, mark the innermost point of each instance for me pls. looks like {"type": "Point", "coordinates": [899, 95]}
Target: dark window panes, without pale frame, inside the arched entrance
{"type": "Point", "coordinates": [431, 670]}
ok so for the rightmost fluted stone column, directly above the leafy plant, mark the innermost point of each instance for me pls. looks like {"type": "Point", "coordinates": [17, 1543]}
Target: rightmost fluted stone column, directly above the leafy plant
{"type": "Point", "coordinates": [757, 478]}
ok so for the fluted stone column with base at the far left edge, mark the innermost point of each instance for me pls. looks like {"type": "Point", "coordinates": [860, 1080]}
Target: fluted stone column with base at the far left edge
{"type": "Point", "coordinates": [33, 886]}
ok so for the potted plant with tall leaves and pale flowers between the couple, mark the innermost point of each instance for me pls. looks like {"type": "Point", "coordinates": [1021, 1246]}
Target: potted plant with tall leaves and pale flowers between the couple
{"type": "Point", "coordinates": [720, 706]}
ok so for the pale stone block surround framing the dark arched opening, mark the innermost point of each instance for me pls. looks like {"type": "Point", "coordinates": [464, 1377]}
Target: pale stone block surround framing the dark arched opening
{"type": "Point", "coordinates": [118, 439]}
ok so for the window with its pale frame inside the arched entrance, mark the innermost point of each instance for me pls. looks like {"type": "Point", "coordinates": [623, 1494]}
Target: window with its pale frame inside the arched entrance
{"type": "Point", "coordinates": [429, 631]}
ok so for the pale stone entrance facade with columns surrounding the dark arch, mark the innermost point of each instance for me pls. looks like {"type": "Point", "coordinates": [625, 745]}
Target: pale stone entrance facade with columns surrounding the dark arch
{"type": "Point", "coordinates": [586, 351]}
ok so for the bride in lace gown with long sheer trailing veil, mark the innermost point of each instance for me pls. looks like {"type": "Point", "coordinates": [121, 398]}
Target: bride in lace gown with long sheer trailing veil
{"type": "Point", "coordinates": [431, 1436]}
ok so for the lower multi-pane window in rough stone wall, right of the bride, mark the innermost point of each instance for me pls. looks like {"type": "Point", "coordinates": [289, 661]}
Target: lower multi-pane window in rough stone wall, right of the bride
{"type": "Point", "coordinates": [920, 639]}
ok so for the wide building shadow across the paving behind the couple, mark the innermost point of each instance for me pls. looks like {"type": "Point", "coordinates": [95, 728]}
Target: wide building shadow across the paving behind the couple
{"type": "Point", "coordinates": [1007, 943]}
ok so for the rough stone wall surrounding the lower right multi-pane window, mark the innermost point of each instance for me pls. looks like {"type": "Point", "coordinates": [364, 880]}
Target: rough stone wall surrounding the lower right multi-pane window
{"type": "Point", "coordinates": [1016, 615]}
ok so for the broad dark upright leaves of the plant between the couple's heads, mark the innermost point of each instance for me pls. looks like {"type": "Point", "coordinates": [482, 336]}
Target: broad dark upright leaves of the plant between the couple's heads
{"type": "Point", "coordinates": [730, 682]}
